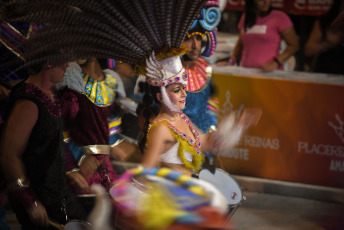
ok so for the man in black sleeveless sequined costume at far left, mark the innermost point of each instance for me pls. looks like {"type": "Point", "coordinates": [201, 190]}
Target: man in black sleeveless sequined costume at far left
{"type": "Point", "coordinates": [32, 152]}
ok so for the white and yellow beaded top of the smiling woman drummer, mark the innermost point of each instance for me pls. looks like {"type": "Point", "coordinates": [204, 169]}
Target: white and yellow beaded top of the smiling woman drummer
{"type": "Point", "coordinates": [186, 151]}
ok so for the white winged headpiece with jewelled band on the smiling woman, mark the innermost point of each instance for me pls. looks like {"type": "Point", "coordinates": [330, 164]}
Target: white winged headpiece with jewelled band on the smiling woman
{"type": "Point", "coordinates": [165, 72]}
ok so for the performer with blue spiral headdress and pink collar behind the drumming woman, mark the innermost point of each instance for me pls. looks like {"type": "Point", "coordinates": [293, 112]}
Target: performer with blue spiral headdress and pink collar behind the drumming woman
{"type": "Point", "coordinates": [201, 106]}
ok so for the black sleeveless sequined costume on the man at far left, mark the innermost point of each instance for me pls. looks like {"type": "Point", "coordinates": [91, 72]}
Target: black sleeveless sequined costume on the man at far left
{"type": "Point", "coordinates": [44, 158]}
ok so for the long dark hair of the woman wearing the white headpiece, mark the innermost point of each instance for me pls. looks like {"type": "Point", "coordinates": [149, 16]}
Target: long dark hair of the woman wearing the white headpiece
{"type": "Point", "coordinates": [147, 109]}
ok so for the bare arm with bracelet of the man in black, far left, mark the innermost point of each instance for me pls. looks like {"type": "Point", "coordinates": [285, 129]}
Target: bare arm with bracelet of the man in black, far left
{"type": "Point", "coordinates": [13, 143]}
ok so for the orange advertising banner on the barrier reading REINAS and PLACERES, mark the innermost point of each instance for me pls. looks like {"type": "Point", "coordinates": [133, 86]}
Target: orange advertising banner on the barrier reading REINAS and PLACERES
{"type": "Point", "coordinates": [300, 134]}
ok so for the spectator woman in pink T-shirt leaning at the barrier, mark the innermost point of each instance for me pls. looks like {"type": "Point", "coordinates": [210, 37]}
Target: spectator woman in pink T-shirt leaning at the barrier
{"type": "Point", "coordinates": [261, 31]}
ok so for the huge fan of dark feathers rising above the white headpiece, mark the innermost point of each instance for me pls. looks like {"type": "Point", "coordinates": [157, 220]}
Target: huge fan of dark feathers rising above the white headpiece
{"type": "Point", "coordinates": [124, 30]}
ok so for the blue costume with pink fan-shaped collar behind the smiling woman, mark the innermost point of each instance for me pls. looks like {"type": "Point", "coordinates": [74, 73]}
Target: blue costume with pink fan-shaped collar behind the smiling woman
{"type": "Point", "coordinates": [198, 103]}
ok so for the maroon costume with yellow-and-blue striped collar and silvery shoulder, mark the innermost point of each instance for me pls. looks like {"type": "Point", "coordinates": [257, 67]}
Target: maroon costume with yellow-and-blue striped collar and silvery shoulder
{"type": "Point", "coordinates": [87, 106]}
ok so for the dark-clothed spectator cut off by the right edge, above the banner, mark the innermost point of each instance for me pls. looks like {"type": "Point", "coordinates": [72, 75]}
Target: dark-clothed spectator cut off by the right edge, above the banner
{"type": "Point", "coordinates": [324, 48]}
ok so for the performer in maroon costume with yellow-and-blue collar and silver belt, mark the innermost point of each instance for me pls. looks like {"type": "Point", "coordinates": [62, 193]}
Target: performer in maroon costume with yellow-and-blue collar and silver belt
{"type": "Point", "coordinates": [92, 120]}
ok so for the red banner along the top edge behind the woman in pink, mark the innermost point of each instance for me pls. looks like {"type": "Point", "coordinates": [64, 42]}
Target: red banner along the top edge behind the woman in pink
{"type": "Point", "coordinates": [298, 7]}
